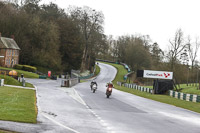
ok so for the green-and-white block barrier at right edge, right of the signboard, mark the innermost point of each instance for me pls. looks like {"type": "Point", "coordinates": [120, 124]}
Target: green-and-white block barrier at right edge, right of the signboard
{"type": "Point", "coordinates": [184, 96]}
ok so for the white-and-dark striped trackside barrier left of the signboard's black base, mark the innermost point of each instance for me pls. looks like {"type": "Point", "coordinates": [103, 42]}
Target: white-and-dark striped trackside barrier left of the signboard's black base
{"type": "Point", "coordinates": [137, 87]}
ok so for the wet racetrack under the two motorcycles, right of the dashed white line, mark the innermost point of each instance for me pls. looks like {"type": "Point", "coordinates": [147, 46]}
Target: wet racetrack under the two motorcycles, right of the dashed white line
{"type": "Point", "coordinates": [126, 113]}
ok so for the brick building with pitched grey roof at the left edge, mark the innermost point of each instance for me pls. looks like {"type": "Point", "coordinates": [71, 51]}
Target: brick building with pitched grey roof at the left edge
{"type": "Point", "coordinates": [9, 52]}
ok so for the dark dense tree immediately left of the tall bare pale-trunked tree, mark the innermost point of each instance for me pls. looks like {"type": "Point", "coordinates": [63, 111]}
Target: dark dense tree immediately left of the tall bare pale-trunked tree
{"type": "Point", "coordinates": [70, 44]}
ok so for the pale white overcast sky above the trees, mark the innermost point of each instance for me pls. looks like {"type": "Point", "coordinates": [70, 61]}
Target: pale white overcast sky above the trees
{"type": "Point", "coordinates": [157, 18]}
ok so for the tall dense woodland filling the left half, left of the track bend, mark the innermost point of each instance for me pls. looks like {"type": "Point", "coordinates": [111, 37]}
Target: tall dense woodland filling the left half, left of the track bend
{"type": "Point", "coordinates": [49, 37]}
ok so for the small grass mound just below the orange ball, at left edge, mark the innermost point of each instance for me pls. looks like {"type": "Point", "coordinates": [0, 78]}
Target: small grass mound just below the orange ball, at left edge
{"type": "Point", "coordinates": [11, 81]}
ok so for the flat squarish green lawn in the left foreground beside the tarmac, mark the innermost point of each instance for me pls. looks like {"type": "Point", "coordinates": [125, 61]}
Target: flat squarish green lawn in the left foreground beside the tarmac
{"type": "Point", "coordinates": [18, 105]}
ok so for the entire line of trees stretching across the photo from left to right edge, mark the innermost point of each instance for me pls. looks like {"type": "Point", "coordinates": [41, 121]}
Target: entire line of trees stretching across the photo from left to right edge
{"type": "Point", "coordinates": [59, 40]}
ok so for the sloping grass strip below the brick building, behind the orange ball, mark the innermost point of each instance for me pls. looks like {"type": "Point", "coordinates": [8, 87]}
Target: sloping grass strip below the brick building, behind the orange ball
{"type": "Point", "coordinates": [25, 73]}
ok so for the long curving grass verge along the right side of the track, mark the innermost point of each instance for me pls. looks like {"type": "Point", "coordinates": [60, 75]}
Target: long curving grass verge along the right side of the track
{"type": "Point", "coordinates": [161, 98]}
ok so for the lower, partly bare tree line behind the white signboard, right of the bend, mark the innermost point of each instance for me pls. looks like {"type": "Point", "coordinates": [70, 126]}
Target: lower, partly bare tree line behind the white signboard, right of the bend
{"type": "Point", "coordinates": [140, 53]}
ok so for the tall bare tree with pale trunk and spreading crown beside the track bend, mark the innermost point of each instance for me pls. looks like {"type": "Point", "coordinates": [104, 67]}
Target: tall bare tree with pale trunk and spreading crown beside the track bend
{"type": "Point", "coordinates": [89, 21]}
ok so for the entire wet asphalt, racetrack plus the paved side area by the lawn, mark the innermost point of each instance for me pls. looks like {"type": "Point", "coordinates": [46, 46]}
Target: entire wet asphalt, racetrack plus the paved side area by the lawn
{"type": "Point", "coordinates": [61, 110]}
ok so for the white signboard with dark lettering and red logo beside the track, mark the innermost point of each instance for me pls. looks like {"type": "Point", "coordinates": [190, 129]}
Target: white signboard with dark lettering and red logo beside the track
{"type": "Point", "coordinates": [157, 74]}
